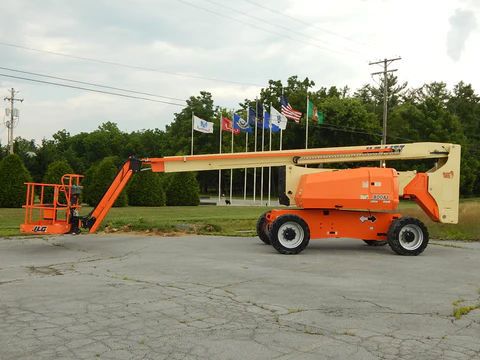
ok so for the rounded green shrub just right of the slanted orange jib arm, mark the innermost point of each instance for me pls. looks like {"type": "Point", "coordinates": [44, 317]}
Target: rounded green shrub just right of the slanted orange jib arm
{"type": "Point", "coordinates": [146, 189]}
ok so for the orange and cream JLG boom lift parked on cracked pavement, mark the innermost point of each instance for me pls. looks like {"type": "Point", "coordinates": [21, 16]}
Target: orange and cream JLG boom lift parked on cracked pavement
{"type": "Point", "coordinates": [356, 203]}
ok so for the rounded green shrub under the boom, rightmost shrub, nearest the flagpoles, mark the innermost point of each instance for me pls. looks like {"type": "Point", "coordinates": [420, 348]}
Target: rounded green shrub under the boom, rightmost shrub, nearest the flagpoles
{"type": "Point", "coordinates": [183, 190]}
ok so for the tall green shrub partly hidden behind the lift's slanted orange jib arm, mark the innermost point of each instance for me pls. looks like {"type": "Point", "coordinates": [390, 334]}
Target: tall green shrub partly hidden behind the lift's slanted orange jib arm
{"type": "Point", "coordinates": [97, 180]}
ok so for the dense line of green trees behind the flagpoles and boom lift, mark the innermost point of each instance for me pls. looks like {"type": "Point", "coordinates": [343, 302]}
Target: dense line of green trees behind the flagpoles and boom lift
{"type": "Point", "coordinates": [432, 112]}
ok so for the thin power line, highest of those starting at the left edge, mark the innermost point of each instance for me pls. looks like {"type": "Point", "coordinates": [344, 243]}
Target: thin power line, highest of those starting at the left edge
{"type": "Point", "coordinates": [135, 67]}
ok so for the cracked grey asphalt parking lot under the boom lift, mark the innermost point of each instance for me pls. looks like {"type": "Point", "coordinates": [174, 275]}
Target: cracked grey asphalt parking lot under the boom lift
{"type": "Point", "coordinates": [198, 297]}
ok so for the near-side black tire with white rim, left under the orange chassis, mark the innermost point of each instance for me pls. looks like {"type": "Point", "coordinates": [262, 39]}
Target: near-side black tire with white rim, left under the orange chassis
{"type": "Point", "coordinates": [277, 227]}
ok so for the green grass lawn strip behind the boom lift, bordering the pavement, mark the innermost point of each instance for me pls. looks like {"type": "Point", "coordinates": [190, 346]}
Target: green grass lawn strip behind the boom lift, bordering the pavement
{"type": "Point", "coordinates": [237, 220]}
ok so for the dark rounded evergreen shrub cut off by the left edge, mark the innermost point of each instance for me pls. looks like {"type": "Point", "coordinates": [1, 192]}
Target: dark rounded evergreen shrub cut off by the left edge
{"type": "Point", "coordinates": [13, 175]}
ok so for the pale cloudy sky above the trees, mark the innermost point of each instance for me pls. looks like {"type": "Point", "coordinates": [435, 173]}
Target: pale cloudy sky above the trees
{"type": "Point", "coordinates": [177, 48]}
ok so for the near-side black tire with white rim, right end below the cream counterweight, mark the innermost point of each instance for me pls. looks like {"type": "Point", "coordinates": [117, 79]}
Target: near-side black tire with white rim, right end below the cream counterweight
{"type": "Point", "coordinates": [395, 238]}
